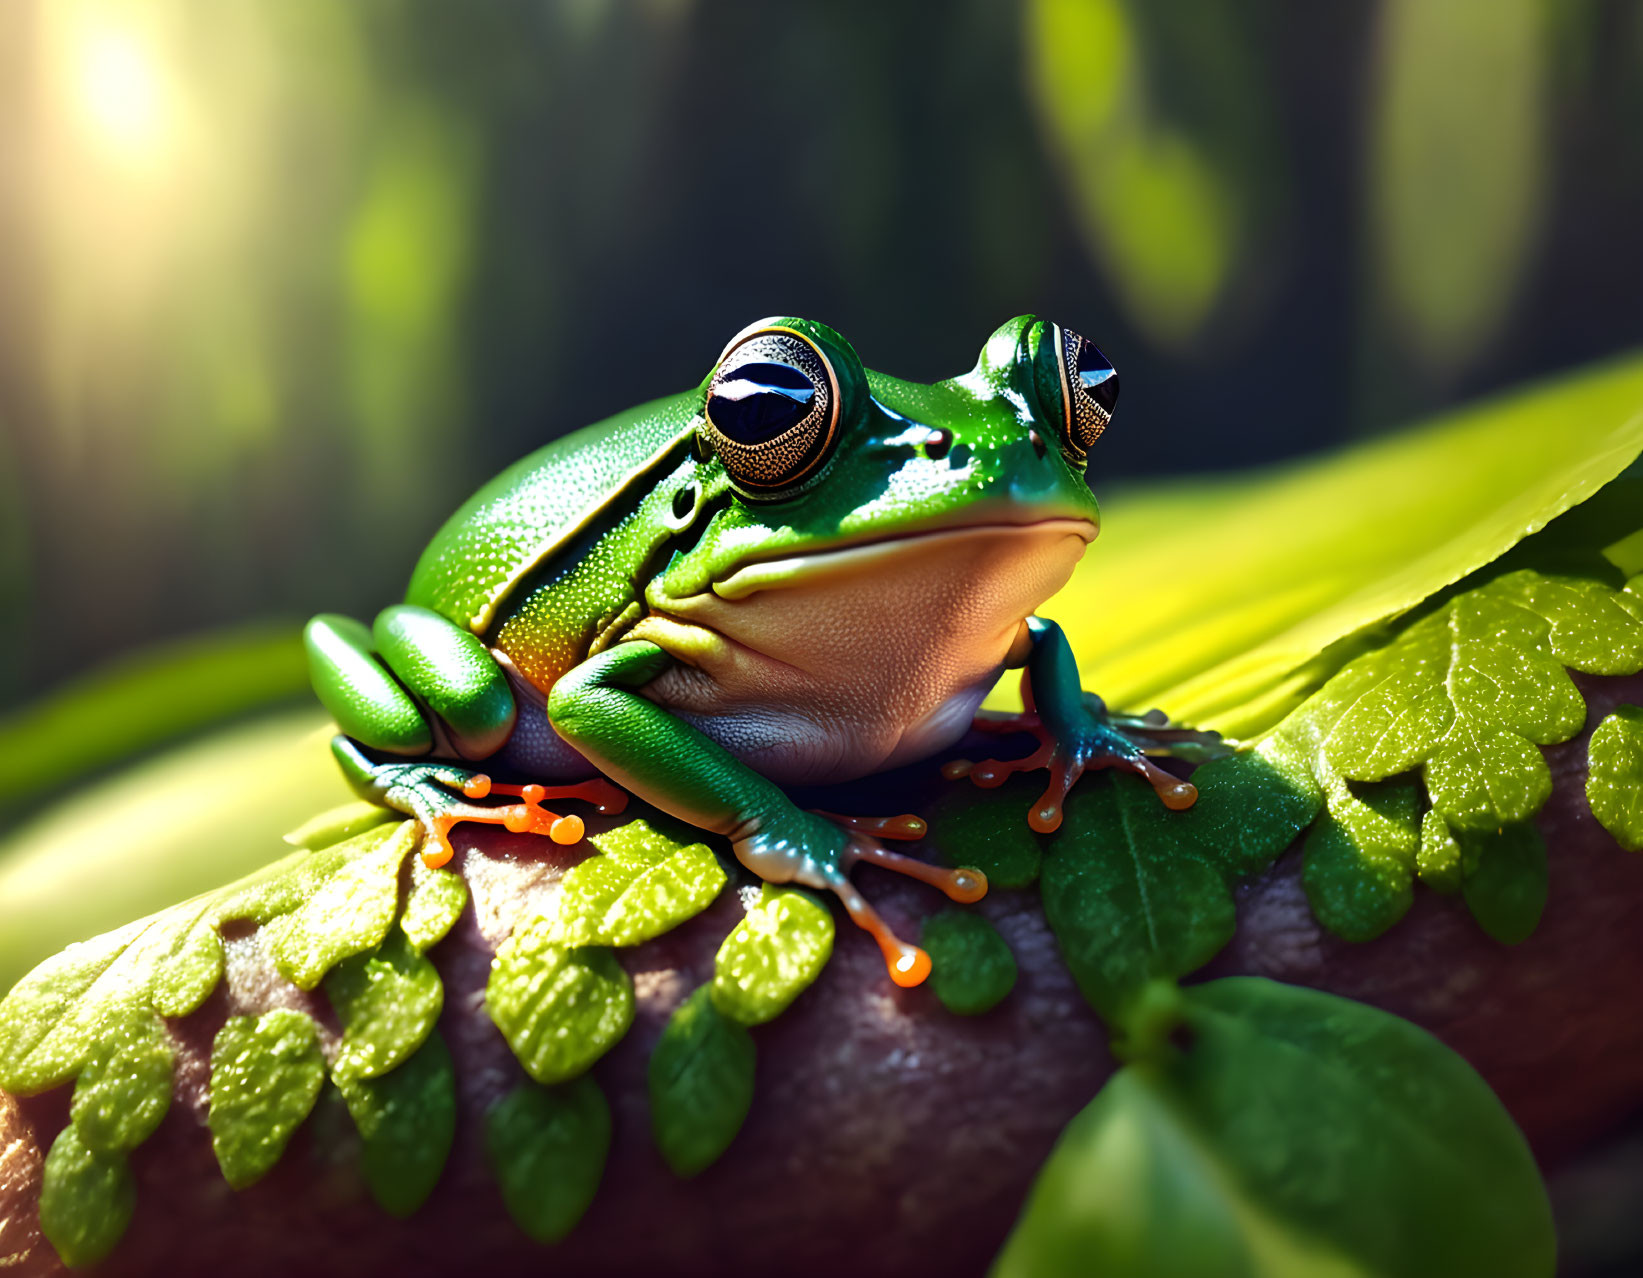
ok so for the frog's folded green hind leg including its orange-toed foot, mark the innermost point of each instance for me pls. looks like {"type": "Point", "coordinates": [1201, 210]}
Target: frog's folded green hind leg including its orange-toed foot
{"type": "Point", "coordinates": [377, 684]}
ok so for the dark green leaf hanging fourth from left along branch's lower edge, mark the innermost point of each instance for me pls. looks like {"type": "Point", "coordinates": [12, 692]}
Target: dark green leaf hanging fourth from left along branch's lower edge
{"type": "Point", "coordinates": [548, 1147]}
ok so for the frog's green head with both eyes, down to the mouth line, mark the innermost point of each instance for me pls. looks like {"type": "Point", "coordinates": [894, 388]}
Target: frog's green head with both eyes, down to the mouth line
{"type": "Point", "coordinates": [808, 451]}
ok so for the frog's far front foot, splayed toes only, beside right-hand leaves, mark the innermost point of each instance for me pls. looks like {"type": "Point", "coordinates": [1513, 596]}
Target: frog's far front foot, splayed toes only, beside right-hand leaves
{"type": "Point", "coordinates": [1093, 738]}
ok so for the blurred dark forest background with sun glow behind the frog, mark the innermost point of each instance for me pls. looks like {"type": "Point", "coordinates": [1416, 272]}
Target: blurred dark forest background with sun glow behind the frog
{"type": "Point", "coordinates": [280, 283]}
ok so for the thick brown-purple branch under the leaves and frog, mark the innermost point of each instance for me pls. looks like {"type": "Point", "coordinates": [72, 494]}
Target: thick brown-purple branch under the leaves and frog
{"type": "Point", "coordinates": [888, 1138]}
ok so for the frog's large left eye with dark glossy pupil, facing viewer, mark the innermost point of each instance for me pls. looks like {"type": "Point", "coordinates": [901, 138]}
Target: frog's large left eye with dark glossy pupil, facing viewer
{"type": "Point", "coordinates": [773, 410]}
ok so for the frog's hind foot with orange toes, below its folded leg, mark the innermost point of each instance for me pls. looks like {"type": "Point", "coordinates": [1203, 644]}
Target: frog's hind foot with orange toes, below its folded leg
{"type": "Point", "coordinates": [430, 793]}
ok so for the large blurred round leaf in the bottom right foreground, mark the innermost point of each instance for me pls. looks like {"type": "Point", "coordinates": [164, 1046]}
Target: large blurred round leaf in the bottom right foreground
{"type": "Point", "coordinates": [1297, 1134]}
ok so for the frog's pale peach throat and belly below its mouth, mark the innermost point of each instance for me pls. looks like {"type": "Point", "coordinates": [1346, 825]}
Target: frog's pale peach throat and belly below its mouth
{"type": "Point", "coordinates": [852, 663]}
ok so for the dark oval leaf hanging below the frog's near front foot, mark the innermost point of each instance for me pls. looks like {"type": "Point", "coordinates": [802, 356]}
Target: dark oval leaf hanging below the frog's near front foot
{"type": "Point", "coordinates": [701, 1085]}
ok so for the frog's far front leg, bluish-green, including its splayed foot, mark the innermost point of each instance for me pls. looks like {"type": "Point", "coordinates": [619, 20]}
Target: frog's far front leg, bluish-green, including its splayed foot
{"type": "Point", "coordinates": [1079, 733]}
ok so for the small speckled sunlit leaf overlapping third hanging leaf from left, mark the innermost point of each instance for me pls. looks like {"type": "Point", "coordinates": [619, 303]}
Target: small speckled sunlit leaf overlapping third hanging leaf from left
{"type": "Point", "coordinates": [389, 1003]}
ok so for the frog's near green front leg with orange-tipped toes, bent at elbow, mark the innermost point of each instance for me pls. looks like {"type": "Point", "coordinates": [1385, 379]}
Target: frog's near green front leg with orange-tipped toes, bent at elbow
{"type": "Point", "coordinates": [676, 768]}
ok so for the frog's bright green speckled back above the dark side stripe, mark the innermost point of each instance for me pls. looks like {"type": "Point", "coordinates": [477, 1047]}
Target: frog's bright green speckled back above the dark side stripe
{"type": "Point", "coordinates": [520, 518]}
